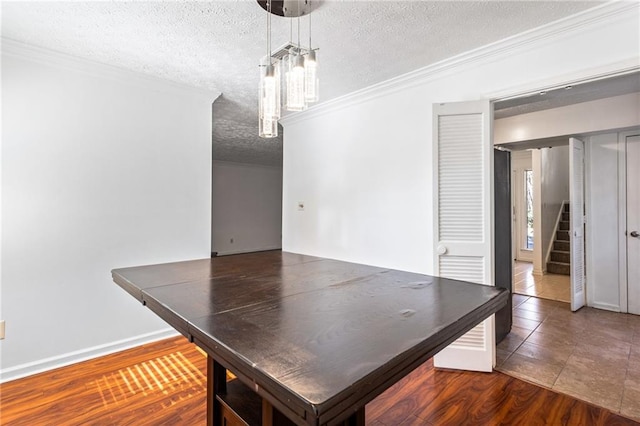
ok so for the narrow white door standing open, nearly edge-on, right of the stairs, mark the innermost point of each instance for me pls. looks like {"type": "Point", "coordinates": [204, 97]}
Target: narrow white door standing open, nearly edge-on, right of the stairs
{"type": "Point", "coordinates": [576, 185]}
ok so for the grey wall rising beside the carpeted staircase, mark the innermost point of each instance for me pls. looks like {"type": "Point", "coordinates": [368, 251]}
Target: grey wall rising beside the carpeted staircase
{"type": "Point", "coordinates": [554, 182]}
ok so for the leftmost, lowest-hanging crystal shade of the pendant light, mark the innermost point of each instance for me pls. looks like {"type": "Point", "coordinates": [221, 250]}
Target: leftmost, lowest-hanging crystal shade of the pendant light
{"type": "Point", "coordinates": [269, 101]}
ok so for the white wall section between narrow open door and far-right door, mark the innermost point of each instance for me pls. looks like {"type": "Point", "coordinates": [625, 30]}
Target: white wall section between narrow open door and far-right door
{"type": "Point", "coordinates": [602, 204]}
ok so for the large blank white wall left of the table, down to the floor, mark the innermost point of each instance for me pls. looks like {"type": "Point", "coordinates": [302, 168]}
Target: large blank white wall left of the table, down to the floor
{"type": "Point", "coordinates": [101, 168]}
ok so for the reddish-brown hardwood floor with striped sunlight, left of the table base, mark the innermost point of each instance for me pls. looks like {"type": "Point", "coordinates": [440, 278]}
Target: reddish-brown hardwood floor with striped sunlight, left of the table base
{"type": "Point", "coordinates": [157, 384]}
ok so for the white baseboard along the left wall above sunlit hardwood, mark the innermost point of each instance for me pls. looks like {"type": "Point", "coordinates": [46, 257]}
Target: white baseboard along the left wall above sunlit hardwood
{"type": "Point", "coordinates": [35, 367]}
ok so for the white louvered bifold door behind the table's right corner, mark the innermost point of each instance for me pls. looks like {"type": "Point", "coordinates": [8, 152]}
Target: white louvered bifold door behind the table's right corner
{"type": "Point", "coordinates": [463, 217]}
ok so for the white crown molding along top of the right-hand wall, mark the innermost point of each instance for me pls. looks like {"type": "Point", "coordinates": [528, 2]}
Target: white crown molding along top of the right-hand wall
{"type": "Point", "coordinates": [508, 46]}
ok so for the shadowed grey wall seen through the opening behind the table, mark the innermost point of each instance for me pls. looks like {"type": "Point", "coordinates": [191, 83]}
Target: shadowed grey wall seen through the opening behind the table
{"type": "Point", "coordinates": [247, 208]}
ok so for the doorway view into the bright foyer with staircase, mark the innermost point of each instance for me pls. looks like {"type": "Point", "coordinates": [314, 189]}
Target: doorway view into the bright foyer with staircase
{"type": "Point", "coordinates": [538, 213]}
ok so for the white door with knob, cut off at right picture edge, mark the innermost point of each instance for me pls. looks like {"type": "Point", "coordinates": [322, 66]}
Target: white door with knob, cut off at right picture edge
{"type": "Point", "coordinates": [633, 224]}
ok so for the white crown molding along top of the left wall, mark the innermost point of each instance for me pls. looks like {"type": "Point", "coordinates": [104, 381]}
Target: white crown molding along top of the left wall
{"type": "Point", "coordinates": [16, 49]}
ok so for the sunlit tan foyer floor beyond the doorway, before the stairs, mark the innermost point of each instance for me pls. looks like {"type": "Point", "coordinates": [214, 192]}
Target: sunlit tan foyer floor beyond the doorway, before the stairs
{"type": "Point", "coordinates": [549, 286]}
